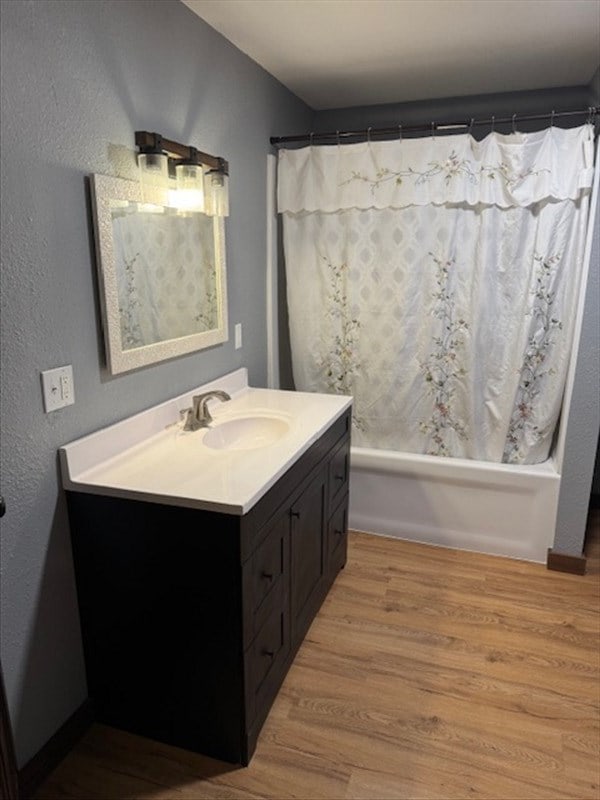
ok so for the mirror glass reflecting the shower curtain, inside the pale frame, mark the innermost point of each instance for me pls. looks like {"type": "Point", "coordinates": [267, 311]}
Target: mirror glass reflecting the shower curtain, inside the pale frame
{"type": "Point", "coordinates": [165, 265]}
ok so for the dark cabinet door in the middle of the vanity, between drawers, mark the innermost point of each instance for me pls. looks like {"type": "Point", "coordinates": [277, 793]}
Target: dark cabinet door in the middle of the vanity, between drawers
{"type": "Point", "coordinates": [307, 517]}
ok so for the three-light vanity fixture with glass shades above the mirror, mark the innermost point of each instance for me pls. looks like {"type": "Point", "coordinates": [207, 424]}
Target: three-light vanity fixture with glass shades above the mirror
{"type": "Point", "coordinates": [200, 180]}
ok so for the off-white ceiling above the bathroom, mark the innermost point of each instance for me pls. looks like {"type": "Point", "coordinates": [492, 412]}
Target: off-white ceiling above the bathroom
{"type": "Point", "coordinates": [338, 53]}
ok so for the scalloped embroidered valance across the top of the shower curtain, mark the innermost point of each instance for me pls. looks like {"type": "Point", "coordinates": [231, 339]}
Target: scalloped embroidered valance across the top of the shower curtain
{"type": "Point", "coordinates": [513, 170]}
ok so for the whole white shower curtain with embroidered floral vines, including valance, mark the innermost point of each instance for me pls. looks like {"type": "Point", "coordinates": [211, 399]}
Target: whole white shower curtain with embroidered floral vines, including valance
{"type": "Point", "coordinates": [435, 280]}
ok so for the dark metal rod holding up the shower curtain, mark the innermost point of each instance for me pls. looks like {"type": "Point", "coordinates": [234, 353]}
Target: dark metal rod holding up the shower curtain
{"type": "Point", "coordinates": [433, 127]}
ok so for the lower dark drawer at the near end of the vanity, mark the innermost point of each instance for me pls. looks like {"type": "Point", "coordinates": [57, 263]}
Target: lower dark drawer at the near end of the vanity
{"type": "Point", "coordinates": [265, 662]}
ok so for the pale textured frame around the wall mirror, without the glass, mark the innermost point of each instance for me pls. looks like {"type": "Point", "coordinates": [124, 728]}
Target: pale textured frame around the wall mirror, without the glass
{"type": "Point", "coordinates": [104, 190]}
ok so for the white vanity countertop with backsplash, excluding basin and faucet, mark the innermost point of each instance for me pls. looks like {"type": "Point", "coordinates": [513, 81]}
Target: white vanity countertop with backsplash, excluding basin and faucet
{"type": "Point", "coordinates": [149, 456]}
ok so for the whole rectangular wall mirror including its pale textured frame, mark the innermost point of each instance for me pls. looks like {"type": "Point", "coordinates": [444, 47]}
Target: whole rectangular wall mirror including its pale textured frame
{"type": "Point", "coordinates": [162, 276]}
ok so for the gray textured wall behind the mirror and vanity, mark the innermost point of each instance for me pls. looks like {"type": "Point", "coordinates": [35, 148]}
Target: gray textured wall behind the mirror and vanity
{"type": "Point", "coordinates": [78, 78]}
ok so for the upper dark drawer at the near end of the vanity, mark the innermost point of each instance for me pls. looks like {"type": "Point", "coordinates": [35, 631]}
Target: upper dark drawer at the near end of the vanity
{"type": "Point", "coordinates": [266, 578]}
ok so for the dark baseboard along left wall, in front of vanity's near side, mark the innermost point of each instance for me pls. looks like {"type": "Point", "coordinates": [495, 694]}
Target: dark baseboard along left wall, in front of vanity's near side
{"type": "Point", "coordinates": [37, 769]}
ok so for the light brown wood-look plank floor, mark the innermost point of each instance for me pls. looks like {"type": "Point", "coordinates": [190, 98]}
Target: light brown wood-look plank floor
{"type": "Point", "coordinates": [429, 673]}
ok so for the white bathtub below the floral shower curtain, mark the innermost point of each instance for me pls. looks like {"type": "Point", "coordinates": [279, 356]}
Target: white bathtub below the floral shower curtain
{"type": "Point", "coordinates": [472, 505]}
